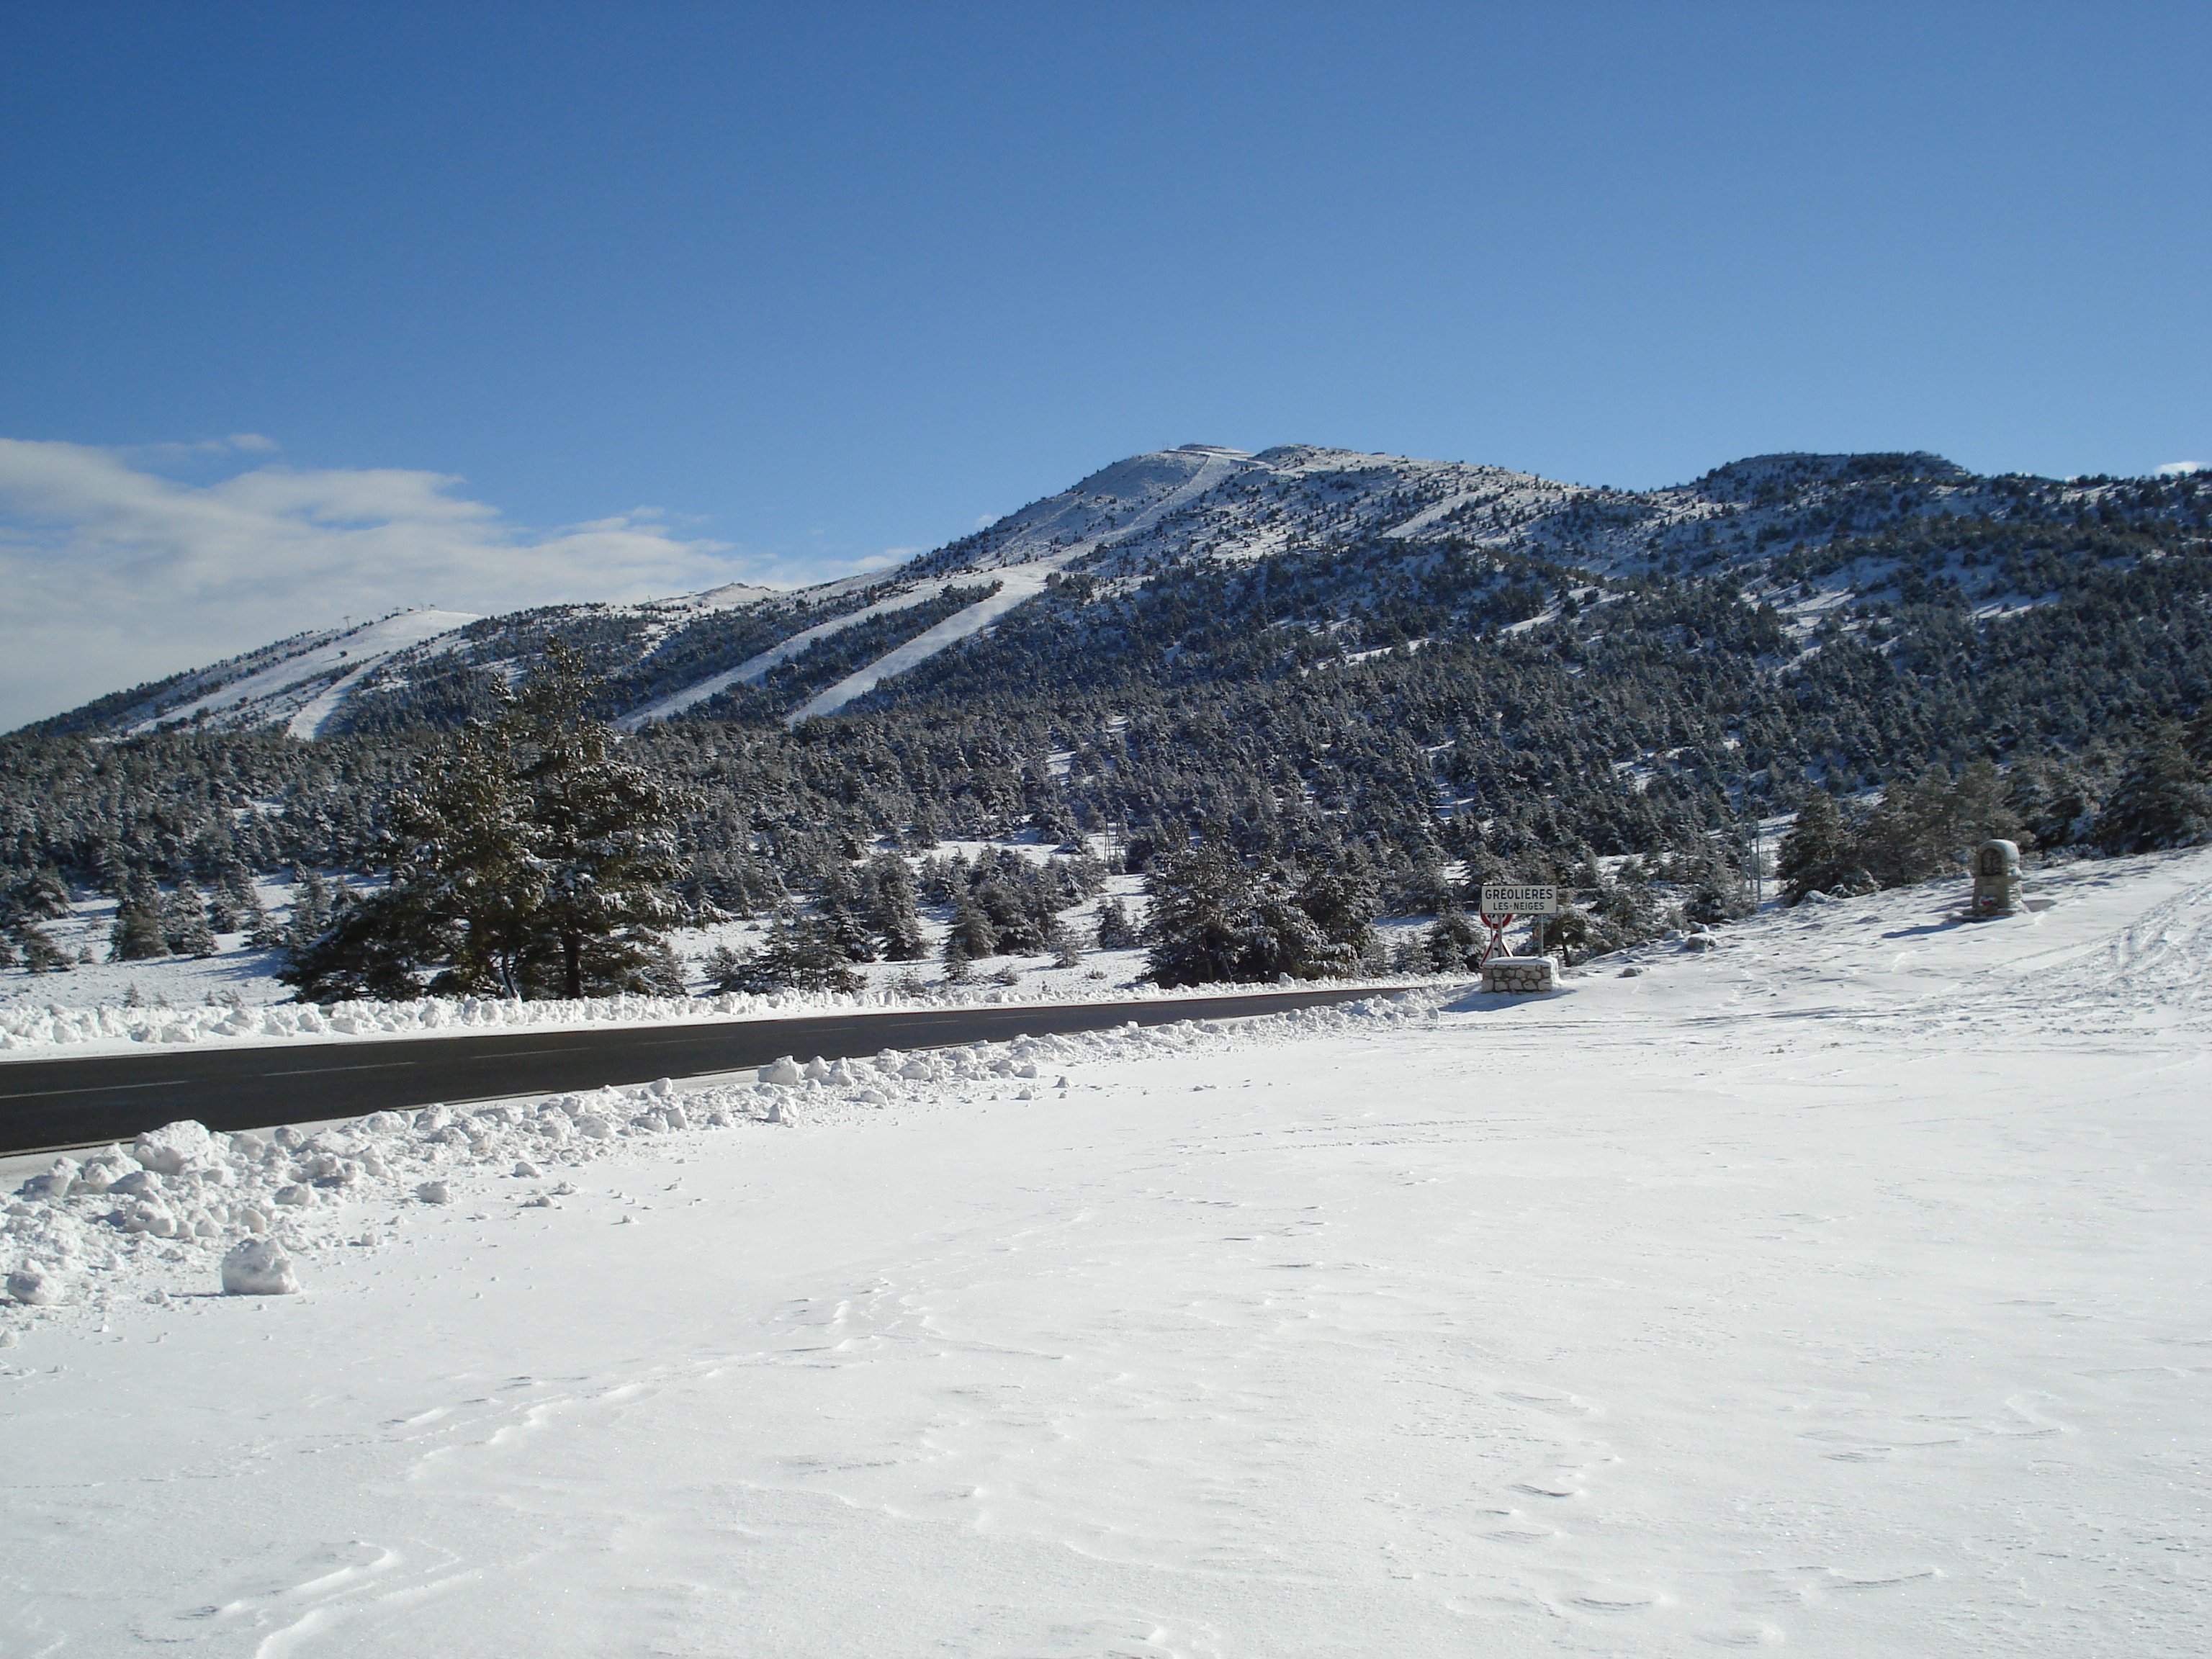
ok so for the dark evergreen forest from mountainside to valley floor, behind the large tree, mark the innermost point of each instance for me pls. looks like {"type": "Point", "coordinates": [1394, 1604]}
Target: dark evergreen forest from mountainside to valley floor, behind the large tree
{"type": "Point", "coordinates": [1908, 654]}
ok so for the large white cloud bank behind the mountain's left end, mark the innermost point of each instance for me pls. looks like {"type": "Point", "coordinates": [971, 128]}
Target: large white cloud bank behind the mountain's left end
{"type": "Point", "coordinates": [112, 576]}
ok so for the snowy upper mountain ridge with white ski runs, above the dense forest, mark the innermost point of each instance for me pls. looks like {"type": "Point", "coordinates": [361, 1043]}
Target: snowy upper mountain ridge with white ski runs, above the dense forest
{"type": "Point", "coordinates": [815, 651]}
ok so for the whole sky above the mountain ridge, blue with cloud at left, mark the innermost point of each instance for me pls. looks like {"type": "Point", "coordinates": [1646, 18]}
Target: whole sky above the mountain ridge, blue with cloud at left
{"type": "Point", "coordinates": [651, 295]}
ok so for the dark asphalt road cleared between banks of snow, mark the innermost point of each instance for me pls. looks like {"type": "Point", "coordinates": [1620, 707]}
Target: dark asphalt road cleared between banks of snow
{"type": "Point", "coordinates": [112, 1098]}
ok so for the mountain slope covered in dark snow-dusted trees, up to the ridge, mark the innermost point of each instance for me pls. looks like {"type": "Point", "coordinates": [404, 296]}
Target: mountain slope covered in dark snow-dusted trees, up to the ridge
{"type": "Point", "coordinates": [1333, 658]}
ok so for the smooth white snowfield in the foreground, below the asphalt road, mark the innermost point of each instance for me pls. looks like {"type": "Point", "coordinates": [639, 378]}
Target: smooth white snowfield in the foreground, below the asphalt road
{"type": "Point", "coordinates": [1841, 1288]}
